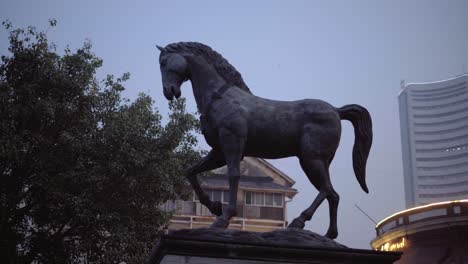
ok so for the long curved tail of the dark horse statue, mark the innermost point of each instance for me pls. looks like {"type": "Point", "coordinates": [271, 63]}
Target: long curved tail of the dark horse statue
{"type": "Point", "coordinates": [362, 123]}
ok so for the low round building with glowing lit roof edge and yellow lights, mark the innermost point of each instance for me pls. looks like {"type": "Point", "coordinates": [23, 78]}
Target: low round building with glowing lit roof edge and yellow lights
{"type": "Point", "coordinates": [432, 233]}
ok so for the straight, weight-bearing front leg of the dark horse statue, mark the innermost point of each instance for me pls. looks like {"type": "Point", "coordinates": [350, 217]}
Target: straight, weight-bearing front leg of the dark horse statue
{"type": "Point", "coordinates": [233, 147]}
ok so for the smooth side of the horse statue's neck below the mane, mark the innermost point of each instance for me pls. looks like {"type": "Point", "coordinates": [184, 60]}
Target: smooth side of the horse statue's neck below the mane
{"type": "Point", "coordinates": [205, 81]}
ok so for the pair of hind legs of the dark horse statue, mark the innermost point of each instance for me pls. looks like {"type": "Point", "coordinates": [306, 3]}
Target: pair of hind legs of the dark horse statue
{"type": "Point", "coordinates": [317, 172]}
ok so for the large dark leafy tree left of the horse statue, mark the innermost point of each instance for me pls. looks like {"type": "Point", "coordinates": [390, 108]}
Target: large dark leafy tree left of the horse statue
{"type": "Point", "coordinates": [82, 169]}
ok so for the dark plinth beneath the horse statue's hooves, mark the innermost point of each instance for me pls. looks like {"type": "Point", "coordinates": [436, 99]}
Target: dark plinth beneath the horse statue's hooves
{"type": "Point", "coordinates": [213, 245]}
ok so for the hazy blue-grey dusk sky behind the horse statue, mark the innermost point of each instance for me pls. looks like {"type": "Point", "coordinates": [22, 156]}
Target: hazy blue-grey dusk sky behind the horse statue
{"type": "Point", "coordinates": [342, 52]}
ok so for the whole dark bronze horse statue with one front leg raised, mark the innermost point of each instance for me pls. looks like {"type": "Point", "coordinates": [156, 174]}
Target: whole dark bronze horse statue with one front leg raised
{"type": "Point", "coordinates": [236, 123]}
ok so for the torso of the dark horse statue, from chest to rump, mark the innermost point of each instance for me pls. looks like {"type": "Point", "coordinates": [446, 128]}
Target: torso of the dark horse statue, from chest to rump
{"type": "Point", "coordinates": [276, 130]}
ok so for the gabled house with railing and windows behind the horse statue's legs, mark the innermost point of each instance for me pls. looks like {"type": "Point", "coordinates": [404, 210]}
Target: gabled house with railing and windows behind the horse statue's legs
{"type": "Point", "coordinates": [263, 194]}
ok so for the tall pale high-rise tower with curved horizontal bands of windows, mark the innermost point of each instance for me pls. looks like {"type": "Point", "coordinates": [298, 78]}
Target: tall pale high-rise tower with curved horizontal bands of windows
{"type": "Point", "coordinates": [434, 136]}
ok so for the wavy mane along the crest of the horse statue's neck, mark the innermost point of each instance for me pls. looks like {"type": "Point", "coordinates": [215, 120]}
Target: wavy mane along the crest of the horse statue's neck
{"type": "Point", "coordinates": [222, 66]}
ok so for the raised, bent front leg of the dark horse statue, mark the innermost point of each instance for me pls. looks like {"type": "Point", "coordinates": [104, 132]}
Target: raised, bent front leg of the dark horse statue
{"type": "Point", "coordinates": [213, 160]}
